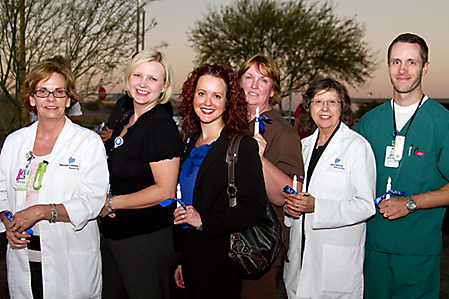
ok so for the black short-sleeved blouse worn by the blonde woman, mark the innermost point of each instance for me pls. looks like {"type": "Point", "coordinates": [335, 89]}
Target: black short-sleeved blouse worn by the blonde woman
{"type": "Point", "coordinates": [154, 137]}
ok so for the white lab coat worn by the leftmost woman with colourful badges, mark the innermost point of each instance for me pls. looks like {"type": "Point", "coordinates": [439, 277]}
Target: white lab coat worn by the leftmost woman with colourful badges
{"type": "Point", "coordinates": [77, 177]}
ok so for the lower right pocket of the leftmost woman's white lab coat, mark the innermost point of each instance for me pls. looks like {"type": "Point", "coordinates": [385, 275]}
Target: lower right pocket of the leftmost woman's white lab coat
{"type": "Point", "coordinates": [85, 274]}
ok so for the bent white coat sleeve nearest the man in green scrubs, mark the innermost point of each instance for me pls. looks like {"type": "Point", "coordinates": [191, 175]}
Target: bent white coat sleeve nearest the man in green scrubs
{"type": "Point", "coordinates": [358, 205]}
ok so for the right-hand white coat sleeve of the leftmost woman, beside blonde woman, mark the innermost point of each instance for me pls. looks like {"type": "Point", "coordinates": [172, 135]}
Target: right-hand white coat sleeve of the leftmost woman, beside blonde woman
{"type": "Point", "coordinates": [92, 184]}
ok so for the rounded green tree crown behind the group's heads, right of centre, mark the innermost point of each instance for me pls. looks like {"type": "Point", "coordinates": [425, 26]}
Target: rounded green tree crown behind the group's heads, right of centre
{"type": "Point", "coordinates": [306, 42]}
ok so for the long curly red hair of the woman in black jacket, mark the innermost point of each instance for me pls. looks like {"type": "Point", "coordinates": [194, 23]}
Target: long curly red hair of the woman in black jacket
{"type": "Point", "coordinates": [235, 114]}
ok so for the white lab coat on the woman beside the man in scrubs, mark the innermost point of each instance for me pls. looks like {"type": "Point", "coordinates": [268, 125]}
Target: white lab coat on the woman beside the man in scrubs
{"type": "Point", "coordinates": [343, 184]}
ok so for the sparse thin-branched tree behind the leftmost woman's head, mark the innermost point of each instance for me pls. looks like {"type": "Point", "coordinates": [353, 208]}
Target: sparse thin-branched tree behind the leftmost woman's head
{"type": "Point", "coordinates": [97, 36]}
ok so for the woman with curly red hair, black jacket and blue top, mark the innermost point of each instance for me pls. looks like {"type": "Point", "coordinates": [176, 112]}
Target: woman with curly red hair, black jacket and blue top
{"type": "Point", "coordinates": [214, 110]}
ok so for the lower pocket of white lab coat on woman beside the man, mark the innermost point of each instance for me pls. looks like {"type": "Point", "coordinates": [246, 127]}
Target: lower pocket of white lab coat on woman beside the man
{"type": "Point", "coordinates": [342, 269]}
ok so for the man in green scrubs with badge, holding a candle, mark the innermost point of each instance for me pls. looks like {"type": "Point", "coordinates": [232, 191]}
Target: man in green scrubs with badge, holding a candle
{"type": "Point", "coordinates": [410, 139]}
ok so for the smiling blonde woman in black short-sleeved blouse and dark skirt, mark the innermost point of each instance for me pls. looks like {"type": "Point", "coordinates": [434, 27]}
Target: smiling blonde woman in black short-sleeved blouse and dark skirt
{"type": "Point", "coordinates": [137, 246]}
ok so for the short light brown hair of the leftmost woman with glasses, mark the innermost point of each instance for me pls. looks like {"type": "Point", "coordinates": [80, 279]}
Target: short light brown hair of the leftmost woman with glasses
{"type": "Point", "coordinates": [43, 71]}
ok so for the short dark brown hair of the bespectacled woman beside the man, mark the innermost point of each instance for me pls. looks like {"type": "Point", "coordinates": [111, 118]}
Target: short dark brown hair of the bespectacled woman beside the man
{"type": "Point", "coordinates": [346, 116]}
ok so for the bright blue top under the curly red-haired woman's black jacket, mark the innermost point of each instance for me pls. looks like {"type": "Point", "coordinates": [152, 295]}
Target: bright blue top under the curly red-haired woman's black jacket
{"type": "Point", "coordinates": [189, 172]}
